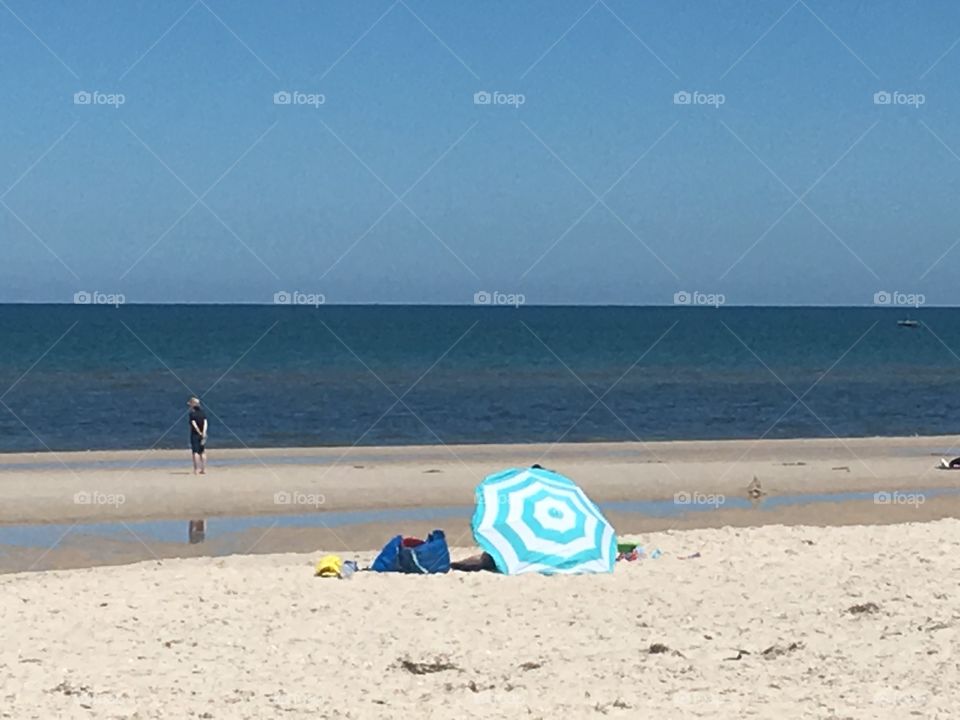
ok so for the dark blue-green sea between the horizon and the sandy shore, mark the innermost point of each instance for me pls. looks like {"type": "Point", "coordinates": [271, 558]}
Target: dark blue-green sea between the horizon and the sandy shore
{"type": "Point", "coordinates": [97, 377]}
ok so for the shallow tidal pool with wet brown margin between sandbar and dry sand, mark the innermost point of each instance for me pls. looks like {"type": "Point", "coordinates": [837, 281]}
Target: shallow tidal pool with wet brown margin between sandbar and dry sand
{"type": "Point", "coordinates": [53, 547]}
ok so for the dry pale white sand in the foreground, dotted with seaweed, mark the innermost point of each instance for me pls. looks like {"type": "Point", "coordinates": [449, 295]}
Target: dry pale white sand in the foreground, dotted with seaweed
{"type": "Point", "coordinates": [759, 626]}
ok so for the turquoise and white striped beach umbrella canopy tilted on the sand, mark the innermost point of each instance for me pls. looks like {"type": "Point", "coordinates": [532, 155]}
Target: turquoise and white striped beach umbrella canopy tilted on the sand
{"type": "Point", "coordinates": [535, 520]}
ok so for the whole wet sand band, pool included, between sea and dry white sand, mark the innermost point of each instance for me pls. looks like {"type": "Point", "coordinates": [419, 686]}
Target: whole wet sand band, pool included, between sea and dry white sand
{"type": "Point", "coordinates": [338, 498]}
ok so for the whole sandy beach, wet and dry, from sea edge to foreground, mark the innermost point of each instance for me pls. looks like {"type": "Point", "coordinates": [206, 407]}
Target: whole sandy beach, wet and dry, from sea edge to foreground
{"type": "Point", "coordinates": [809, 609]}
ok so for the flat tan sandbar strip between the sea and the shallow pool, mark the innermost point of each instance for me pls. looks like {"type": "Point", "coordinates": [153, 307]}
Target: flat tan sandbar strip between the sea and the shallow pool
{"type": "Point", "coordinates": [100, 486]}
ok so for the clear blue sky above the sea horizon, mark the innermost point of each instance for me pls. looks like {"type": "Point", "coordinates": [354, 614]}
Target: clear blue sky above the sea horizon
{"type": "Point", "coordinates": [491, 197]}
